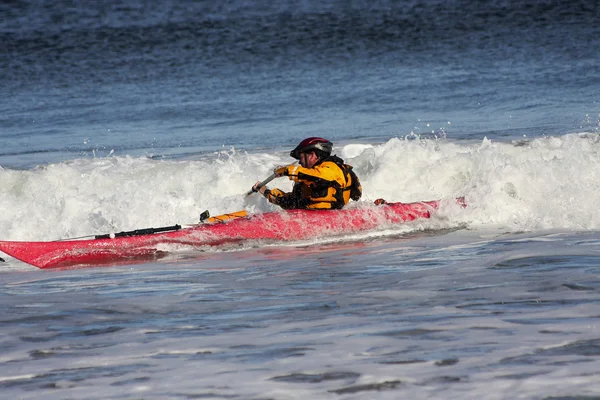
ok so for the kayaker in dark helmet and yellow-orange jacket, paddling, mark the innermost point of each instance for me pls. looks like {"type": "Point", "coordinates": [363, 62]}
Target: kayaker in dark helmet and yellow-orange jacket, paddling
{"type": "Point", "coordinates": [322, 181]}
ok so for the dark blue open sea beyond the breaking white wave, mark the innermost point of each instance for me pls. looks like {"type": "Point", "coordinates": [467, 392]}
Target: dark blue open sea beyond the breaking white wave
{"type": "Point", "coordinates": [170, 78]}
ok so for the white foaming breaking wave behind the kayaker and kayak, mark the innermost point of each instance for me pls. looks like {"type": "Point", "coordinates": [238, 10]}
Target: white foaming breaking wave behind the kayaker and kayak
{"type": "Point", "coordinates": [545, 183]}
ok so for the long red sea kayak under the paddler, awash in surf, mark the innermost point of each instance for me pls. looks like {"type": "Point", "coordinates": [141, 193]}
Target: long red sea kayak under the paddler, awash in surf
{"type": "Point", "coordinates": [230, 228]}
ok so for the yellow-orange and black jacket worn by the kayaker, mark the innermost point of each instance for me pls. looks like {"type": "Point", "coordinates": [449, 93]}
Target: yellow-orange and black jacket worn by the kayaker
{"type": "Point", "coordinates": [328, 185]}
